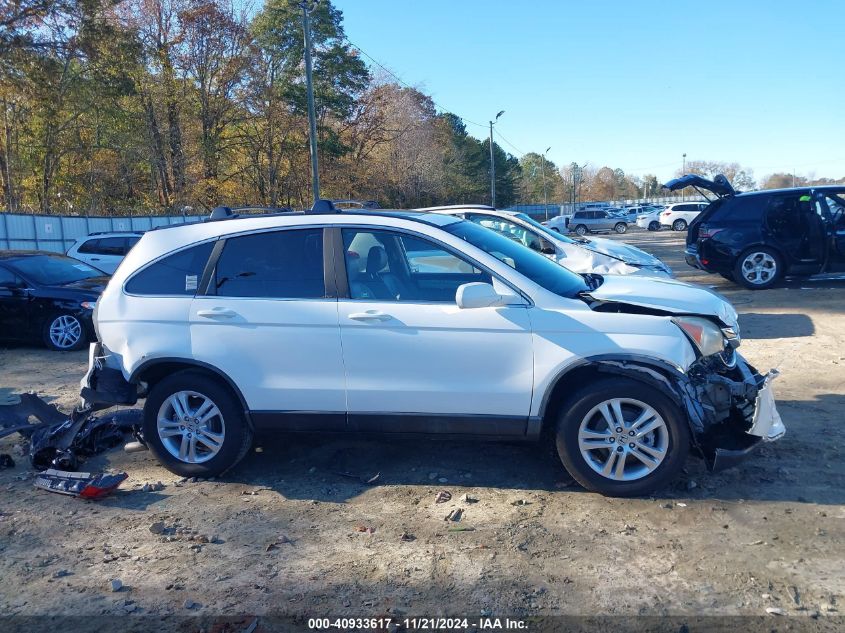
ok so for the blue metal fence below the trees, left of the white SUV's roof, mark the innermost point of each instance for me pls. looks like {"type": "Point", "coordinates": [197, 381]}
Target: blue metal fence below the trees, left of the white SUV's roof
{"type": "Point", "coordinates": [57, 233]}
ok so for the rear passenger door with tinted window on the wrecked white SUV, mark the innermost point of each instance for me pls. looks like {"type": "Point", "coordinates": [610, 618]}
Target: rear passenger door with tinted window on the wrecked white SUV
{"type": "Point", "coordinates": [269, 323]}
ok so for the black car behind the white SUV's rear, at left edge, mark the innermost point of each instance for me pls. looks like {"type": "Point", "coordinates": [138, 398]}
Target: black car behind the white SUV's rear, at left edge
{"type": "Point", "coordinates": [48, 297]}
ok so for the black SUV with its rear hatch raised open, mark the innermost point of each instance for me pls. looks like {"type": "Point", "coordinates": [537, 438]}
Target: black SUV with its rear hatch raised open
{"type": "Point", "coordinates": [756, 238]}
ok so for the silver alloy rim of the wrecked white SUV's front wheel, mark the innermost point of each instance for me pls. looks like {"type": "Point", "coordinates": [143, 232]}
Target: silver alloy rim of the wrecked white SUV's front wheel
{"type": "Point", "coordinates": [623, 439]}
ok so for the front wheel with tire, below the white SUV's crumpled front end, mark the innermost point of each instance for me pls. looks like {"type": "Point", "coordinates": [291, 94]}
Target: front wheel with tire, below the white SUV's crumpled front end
{"type": "Point", "coordinates": [582, 420]}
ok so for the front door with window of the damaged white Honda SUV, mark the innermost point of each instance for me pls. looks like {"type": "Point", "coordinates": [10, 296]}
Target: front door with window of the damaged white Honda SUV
{"type": "Point", "coordinates": [414, 361]}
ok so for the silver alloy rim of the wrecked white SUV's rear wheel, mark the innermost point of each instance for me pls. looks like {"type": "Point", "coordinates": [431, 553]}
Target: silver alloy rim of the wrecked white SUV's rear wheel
{"type": "Point", "coordinates": [191, 427]}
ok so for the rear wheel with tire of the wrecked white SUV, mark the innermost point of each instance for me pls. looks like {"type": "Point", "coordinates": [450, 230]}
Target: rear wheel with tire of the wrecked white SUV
{"type": "Point", "coordinates": [227, 430]}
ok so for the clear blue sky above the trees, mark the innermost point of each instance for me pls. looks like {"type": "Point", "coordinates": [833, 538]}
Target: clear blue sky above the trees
{"type": "Point", "coordinates": [630, 84]}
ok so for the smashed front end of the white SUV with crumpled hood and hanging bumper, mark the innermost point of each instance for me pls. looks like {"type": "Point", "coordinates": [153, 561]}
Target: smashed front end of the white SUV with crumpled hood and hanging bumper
{"type": "Point", "coordinates": [729, 404]}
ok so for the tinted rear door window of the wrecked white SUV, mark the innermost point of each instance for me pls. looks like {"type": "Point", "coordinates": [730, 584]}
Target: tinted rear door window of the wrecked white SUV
{"type": "Point", "coordinates": [274, 265]}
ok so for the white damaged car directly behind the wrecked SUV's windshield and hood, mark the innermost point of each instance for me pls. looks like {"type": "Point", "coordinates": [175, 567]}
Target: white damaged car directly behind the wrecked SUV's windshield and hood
{"type": "Point", "coordinates": [580, 255]}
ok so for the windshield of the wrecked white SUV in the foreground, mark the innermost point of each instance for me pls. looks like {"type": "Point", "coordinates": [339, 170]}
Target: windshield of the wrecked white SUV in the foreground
{"type": "Point", "coordinates": [538, 268]}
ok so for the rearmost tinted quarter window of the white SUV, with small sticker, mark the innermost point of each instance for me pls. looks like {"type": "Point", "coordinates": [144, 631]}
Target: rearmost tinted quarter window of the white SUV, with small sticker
{"type": "Point", "coordinates": [176, 274]}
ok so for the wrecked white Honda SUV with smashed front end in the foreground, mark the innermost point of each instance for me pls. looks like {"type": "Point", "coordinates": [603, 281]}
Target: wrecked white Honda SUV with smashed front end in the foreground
{"type": "Point", "coordinates": [417, 323]}
